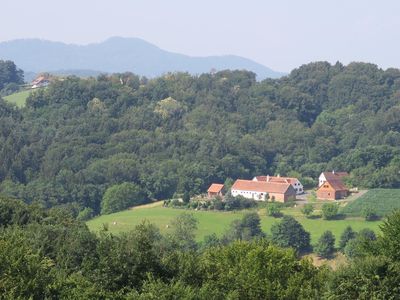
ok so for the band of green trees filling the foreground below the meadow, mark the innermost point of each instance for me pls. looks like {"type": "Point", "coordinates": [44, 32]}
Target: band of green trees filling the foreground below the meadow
{"type": "Point", "coordinates": [48, 254]}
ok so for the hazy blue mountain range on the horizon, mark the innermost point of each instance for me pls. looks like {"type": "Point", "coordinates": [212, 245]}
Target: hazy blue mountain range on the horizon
{"type": "Point", "coordinates": [118, 55]}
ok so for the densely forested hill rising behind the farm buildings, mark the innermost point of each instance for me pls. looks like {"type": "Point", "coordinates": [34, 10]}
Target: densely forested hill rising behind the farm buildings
{"type": "Point", "coordinates": [179, 133]}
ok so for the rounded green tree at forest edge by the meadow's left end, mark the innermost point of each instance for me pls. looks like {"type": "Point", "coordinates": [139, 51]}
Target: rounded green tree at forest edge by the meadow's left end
{"type": "Point", "coordinates": [121, 196]}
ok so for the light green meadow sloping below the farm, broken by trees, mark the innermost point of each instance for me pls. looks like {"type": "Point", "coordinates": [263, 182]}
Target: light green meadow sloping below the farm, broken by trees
{"type": "Point", "coordinates": [218, 222]}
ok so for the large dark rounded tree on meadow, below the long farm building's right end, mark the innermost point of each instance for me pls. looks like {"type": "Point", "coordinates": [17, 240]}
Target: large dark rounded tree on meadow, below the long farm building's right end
{"type": "Point", "coordinates": [290, 233]}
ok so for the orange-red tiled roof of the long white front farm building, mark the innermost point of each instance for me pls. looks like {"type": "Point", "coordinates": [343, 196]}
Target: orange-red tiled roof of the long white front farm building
{"type": "Point", "coordinates": [261, 186]}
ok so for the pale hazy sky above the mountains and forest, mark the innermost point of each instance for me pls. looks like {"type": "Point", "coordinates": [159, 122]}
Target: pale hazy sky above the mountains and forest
{"type": "Point", "coordinates": [279, 34]}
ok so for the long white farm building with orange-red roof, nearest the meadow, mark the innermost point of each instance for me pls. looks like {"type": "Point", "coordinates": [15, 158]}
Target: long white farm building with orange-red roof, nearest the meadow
{"type": "Point", "coordinates": [261, 190]}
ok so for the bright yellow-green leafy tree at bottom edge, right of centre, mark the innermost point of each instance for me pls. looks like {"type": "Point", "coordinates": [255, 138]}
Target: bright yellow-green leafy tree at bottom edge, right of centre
{"type": "Point", "coordinates": [259, 270]}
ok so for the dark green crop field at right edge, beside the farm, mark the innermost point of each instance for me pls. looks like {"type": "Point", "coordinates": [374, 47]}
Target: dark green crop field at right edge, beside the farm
{"type": "Point", "coordinates": [382, 201]}
